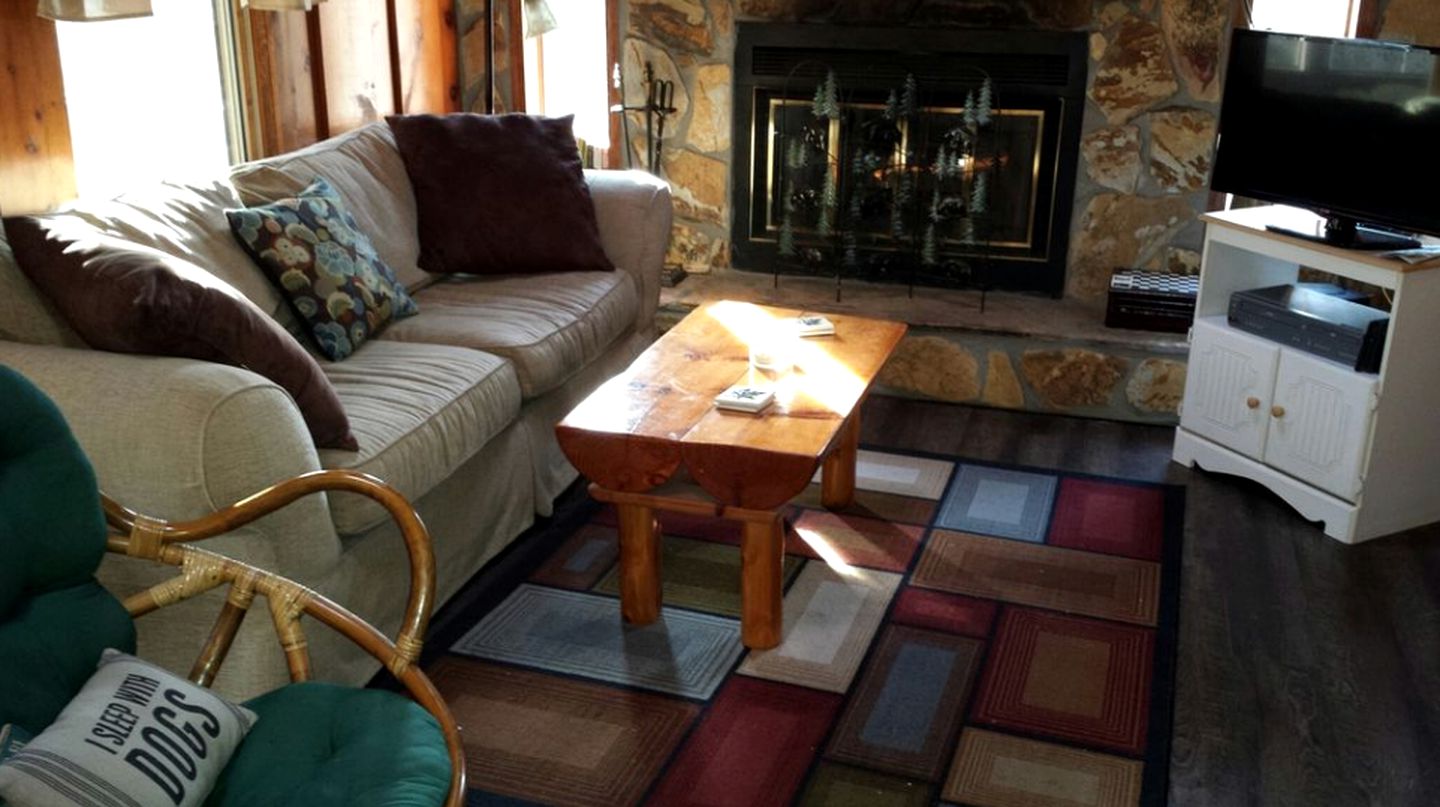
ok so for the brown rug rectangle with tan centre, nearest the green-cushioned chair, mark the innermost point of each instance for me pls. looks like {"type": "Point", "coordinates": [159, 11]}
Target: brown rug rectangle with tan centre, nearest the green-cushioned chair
{"type": "Point", "coordinates": [559, 741]}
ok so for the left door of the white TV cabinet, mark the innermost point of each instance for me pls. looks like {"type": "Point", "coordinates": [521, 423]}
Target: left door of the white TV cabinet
{"type": "Point", "coordinates": [1228, 388]}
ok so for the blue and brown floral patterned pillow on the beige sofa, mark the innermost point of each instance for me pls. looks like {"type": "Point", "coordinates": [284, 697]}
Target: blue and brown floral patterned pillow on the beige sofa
{"type": "Point", "coordinates": [329, 270]}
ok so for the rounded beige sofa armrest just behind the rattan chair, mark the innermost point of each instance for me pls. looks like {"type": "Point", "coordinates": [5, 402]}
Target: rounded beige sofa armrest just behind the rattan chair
{"type": "Point", "coordinates": [181, 439]}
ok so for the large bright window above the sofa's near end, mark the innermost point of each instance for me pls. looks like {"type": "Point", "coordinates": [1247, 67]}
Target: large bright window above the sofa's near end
{"type": "Point", "coordinates": [145, 99]}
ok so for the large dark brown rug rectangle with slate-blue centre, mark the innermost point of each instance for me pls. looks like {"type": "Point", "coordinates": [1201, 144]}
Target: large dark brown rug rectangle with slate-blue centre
{"type": "Point", "coordinates": [908, 705]}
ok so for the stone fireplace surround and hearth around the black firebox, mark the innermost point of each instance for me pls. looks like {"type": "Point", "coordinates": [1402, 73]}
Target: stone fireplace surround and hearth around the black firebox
{"type": "Point", "coordinates": [1151, 90]}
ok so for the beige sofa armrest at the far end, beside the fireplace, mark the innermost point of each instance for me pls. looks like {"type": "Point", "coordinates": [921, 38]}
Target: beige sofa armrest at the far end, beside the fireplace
{"type": "Point", "coordinates": [634, 213]}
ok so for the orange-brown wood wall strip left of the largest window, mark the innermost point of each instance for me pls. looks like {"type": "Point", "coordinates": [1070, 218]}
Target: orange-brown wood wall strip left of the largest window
{"type": "Point", "coordinates": [37, 164]}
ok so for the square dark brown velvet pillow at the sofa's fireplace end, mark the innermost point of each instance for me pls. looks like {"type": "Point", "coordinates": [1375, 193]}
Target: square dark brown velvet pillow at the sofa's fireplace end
{"type": "Point", "coordinates": [499, 194]}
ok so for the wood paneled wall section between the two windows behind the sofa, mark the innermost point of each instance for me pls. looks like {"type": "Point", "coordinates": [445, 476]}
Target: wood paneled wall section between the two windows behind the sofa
{"type": "Point", "coordinates": [345, 64]}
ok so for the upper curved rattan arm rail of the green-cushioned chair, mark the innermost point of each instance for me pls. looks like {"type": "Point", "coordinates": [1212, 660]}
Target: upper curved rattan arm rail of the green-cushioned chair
{"type": "Point", "coordinates": [145, 537]}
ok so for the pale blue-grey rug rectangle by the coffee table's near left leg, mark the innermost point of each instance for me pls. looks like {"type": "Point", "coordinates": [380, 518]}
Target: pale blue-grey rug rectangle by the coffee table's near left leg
{"type": "Point", "coordinates": [567, 632]}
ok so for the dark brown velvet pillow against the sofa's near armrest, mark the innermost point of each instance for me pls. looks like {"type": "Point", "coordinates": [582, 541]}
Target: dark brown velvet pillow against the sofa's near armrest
{"type": "Point", "coordinates": [135, 300]}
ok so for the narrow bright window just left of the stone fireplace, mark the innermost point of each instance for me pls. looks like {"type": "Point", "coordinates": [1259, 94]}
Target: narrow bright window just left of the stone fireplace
{"type": "Point", "coordinates": [567, 70]}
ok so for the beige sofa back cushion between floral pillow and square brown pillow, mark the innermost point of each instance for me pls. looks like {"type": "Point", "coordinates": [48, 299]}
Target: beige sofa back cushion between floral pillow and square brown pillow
{"type": "Point", "coordinates": [368, 174]}
